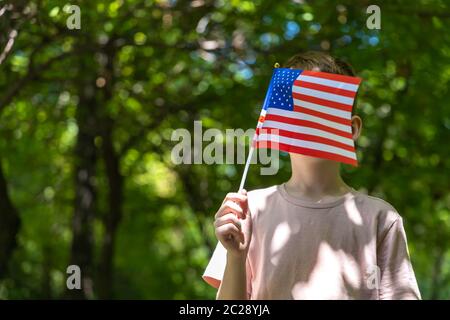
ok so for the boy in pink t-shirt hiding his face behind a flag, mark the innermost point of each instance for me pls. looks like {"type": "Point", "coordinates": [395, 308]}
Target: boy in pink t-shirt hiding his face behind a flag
{"type": "Point", "coordinates": [313, 237]}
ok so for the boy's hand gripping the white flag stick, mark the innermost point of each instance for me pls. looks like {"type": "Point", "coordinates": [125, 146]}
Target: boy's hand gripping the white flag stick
{"type": "Point", "coordinates": [233, 224]}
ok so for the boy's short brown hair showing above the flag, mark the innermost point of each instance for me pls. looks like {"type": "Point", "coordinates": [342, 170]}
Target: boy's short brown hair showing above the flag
{"type": "Point", "coordinates": [324, 62]}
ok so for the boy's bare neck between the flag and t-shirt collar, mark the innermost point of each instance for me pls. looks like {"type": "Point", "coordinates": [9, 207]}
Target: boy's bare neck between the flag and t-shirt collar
{"type": "Point", "coordinates": [316, 180]}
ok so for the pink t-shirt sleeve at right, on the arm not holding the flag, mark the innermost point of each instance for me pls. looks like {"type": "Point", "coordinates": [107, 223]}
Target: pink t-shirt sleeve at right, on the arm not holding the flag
{"type": "Point", "coordinates": [397, 279]}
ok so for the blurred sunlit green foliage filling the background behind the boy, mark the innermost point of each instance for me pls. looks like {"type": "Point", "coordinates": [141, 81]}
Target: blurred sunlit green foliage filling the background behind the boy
{"type": "Point", "coordinates": [174, 62]}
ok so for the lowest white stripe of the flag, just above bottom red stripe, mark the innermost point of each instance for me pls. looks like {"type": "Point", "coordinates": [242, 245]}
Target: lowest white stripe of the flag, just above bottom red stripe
{"type": "Point", "coordinates": [306, 144]}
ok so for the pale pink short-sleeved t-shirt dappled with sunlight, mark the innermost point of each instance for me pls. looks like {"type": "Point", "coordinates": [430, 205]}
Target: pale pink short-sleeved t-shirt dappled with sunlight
{"type": "Point", "coordinates": [350, 248]}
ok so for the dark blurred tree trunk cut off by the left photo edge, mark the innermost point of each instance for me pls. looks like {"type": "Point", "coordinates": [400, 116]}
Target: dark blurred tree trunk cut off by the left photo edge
{"type": "Point", "coordinates": [9, 225]}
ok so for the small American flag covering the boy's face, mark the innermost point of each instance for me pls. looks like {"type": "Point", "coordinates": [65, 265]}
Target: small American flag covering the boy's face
{"type": "Point", "coordinates": [309, 112]}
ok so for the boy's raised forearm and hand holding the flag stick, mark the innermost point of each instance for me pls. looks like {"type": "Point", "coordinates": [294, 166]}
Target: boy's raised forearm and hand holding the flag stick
{"type": "Point", "coordinates": [233, 230]}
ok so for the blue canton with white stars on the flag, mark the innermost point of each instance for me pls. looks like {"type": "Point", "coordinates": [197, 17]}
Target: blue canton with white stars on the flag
{"type": "Point", "coordinates": [280, 91]}
